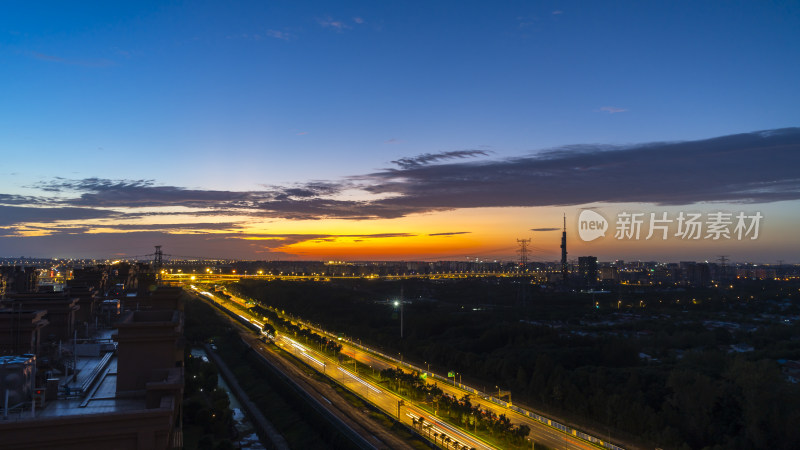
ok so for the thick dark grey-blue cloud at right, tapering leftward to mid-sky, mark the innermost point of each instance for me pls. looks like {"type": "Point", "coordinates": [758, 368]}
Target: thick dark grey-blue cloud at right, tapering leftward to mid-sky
{"type": "Point", "coordinates": [752, 167]}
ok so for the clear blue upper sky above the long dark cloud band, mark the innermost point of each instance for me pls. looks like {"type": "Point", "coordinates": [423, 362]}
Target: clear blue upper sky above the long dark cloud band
{"type": "Point", "coordinates": [242, 96]}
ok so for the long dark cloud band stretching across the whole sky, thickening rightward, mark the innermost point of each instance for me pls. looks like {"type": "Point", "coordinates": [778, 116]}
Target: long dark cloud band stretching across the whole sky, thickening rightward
{"type": "Point", "coordinates": [757, 167]}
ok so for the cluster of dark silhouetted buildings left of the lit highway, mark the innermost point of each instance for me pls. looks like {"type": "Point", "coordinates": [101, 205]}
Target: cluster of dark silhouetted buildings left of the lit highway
{"type": "Point", "coordinates": [120, 388]}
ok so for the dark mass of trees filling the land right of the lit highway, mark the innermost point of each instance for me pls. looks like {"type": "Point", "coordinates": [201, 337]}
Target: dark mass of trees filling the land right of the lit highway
{"type": "Point", "coordinates": [691, 394]}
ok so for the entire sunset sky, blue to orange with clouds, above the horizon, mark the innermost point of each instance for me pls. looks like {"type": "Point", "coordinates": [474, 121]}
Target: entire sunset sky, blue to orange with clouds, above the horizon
{"type": "Point", "coordinates": [400, 130]}
